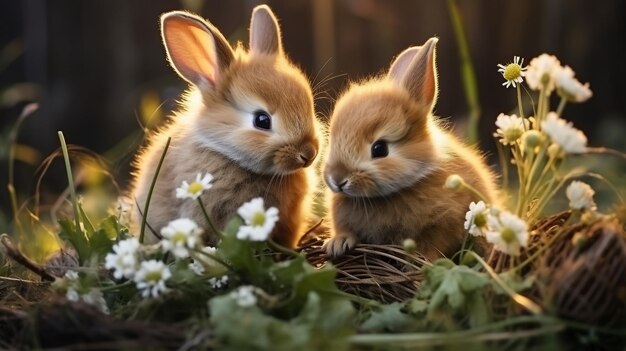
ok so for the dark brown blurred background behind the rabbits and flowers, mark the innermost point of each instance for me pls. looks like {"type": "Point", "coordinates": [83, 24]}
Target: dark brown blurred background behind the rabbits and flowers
{"type": "Point", "coordinates": [97, 69]}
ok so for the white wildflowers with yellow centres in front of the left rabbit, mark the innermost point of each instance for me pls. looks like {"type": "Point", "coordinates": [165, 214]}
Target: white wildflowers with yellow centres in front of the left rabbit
{"type": "Point", "coordinates": [154, 269]}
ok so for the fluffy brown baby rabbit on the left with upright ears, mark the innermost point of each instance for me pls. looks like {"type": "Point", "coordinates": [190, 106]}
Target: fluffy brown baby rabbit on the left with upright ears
{"type": "Point", "coordinates": [247, 119]}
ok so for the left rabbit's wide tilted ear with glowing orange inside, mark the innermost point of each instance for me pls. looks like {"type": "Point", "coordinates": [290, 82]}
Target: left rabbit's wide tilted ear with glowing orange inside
{"type": "Point", "coordinates": [195, 48]}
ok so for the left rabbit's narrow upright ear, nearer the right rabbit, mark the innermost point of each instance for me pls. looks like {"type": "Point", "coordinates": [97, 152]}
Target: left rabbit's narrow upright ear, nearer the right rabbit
{"type": "Point", "coordinates": [264, 31]}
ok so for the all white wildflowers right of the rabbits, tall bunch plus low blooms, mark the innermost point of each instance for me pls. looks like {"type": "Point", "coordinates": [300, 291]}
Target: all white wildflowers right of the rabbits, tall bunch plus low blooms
{"type": "Point", "coordinates": [537, 146]}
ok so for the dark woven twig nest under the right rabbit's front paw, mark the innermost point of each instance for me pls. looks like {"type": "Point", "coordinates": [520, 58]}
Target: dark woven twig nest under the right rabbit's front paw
{"type": "Point", "coordinates": [386, 273]}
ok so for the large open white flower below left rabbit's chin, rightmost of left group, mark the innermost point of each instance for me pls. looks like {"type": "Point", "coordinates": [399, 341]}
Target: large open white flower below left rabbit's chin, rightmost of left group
{"type": "Point", "coordinates": [259, 223]}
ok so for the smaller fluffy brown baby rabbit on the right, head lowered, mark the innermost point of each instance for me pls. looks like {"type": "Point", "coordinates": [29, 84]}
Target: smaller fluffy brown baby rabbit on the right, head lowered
{"type": "Point", "coordinates": [389, 159]}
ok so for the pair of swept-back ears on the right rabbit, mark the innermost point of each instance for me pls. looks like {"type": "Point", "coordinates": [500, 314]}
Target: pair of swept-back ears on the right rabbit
{"type": "Point", "coordinates": [419, 76]}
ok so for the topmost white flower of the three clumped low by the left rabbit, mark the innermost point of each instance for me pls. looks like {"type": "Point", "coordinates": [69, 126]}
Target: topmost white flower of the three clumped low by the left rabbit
{"type": "Point", "coordinates": [179, 236]}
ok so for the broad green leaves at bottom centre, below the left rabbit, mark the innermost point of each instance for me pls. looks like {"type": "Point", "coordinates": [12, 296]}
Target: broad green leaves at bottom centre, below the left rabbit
{"type": "Point", "coordinates": [304, 310]}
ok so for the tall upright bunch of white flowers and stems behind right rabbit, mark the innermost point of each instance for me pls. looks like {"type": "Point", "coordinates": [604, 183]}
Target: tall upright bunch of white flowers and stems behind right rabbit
{"type": "Point", "coordinates": [539, 144]}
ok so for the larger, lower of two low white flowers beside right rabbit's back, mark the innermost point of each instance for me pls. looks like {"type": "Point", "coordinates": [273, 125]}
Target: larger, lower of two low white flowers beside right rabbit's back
{"type": "Point", "coordinates": [507, 232]}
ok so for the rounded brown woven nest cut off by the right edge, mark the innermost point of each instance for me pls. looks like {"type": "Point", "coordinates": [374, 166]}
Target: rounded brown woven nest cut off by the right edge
{"type": "Point", "coordinates": [583, 274]}
